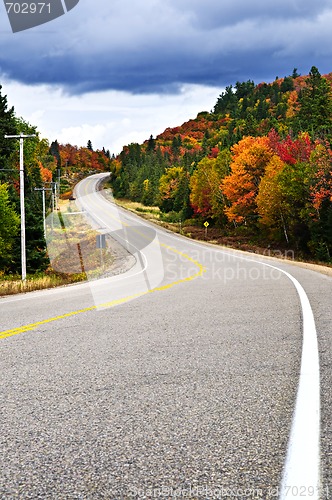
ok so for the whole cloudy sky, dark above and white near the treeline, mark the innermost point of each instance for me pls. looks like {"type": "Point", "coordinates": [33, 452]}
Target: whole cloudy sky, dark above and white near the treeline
{"type": "Point", "coordinates": [116, 71]}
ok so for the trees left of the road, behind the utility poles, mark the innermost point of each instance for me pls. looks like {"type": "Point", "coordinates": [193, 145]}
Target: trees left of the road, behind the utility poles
{"type": "Point", "coordinates": [44, 165]}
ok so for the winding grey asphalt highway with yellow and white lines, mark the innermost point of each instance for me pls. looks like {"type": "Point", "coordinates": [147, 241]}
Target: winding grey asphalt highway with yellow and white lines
{"type": "Point", "coordinates": [190, 371]}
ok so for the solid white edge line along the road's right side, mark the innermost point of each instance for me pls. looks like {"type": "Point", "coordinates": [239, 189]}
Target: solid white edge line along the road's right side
{"type": "Point", "coordinates": [301, 473]}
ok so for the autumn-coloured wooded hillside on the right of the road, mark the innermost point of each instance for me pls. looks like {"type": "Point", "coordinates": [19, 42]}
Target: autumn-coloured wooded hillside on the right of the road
{"type": "Point", "coordinates": [259, 164]}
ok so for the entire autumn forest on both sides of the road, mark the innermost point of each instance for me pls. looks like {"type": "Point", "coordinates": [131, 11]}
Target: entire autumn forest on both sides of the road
{"type": "Point", "coordinates": [259, 165]}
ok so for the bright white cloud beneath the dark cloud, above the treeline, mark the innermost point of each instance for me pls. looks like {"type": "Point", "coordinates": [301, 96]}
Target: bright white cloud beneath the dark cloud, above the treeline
{"type": "Point", "coordinates": [110, 119]}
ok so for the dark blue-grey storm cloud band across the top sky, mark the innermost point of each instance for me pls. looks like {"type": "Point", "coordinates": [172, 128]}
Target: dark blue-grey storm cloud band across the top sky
{"type": "Point", "coordinates": [147, 46]}
